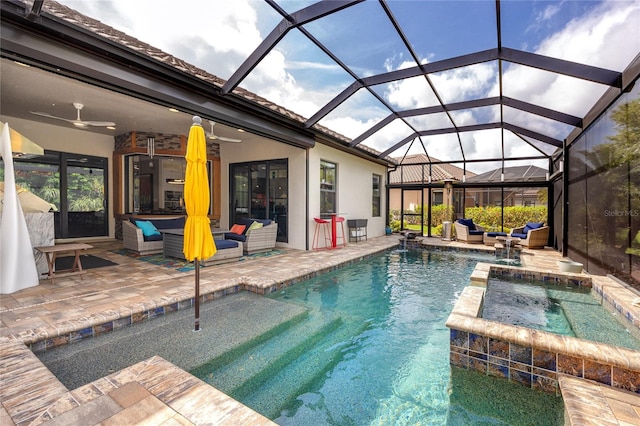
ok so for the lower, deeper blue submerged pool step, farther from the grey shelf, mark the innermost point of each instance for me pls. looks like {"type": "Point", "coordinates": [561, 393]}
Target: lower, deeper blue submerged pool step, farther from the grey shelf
{"type": "Point", "coordinates": [283, 387]}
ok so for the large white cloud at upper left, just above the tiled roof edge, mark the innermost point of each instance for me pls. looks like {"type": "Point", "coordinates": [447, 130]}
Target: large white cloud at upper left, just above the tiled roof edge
{"type": "Point", "coordinates": [216, 36]}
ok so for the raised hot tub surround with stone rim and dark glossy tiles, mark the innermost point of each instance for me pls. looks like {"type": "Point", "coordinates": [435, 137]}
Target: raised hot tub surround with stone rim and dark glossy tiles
{"type": "Point", "coordinates": [536, 358]}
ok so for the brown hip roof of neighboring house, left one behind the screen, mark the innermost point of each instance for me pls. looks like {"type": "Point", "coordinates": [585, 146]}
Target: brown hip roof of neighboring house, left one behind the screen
{"type": "Point", "coordinates": [415, 169]}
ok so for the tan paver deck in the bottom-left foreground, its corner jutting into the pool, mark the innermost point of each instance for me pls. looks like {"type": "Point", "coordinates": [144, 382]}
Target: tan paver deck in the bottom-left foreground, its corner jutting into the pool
{"type": "Point", "coordinates": [152, 390]}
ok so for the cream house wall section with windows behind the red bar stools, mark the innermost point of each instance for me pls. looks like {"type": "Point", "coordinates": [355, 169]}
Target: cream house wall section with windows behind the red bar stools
{"type": "Point", "coordinates": [354, 188]}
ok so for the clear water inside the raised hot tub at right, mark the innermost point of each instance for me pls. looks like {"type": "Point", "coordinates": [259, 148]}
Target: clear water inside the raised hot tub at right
{"type": "Point", "coordinates": [560, 309]}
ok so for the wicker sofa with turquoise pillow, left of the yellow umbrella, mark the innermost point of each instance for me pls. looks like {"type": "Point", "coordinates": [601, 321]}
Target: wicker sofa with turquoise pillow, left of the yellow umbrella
{"type": "Point", "coordinates": [135, 239]}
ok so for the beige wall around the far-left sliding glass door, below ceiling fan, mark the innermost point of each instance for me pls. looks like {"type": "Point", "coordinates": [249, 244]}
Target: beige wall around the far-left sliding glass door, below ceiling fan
{"type": "Point", "coordinates": [63, 139]}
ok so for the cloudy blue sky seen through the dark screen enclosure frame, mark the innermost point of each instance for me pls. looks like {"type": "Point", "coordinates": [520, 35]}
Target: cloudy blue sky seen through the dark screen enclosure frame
{"type": "Point", "coordinates": [218, 35]}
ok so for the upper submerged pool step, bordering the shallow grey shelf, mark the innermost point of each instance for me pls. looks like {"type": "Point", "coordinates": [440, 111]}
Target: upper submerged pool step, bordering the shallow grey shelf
{"type": "Point", "coordinates": [238, 374]}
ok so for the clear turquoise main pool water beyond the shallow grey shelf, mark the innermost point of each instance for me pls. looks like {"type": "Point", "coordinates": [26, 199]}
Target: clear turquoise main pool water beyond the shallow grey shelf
{"type": "Point", "coordinates": [373, 349]}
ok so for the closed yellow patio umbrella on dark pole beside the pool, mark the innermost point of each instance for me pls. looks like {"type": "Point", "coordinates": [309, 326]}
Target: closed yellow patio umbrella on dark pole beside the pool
{"type": "Point", "coordinates": [198, 240]}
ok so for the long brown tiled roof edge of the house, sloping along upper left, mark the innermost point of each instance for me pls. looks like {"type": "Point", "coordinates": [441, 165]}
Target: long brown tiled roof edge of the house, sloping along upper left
{"type": "Point", "coordinates": [74, 17]}
